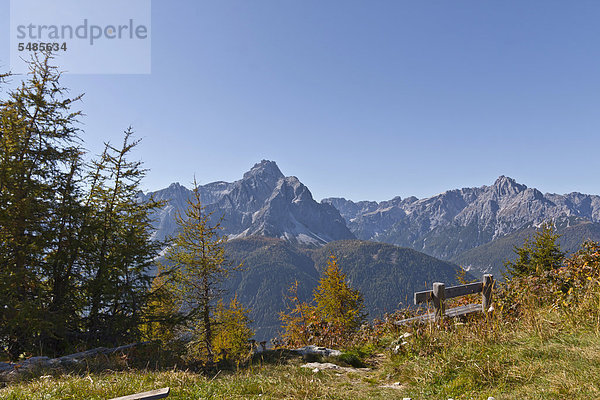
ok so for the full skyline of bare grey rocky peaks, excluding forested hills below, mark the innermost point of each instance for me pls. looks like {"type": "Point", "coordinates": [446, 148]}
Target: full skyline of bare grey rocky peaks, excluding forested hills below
{"type": "Point", "coordinates": [447, 226]}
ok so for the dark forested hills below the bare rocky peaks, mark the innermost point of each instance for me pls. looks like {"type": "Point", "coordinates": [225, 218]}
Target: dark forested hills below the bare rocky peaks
{"type": "Point", "coordinates": [386, 275]}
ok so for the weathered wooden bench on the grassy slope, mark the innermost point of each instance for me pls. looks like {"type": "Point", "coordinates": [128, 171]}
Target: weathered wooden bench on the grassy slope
{"type": "Point", "coordinates": [439, 294]}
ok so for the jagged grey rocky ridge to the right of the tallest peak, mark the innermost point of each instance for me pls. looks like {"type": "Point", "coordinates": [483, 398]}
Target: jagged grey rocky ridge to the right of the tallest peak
{"type": "Point", "coordinates": [457, 220]}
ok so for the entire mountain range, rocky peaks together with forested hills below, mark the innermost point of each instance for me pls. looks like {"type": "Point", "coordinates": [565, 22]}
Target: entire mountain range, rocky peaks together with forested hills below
{"type": "Point", "coordinates": [387, 249]}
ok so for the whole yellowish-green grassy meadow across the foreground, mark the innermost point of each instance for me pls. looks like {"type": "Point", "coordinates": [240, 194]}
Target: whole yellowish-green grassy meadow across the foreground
{"type": "Point", "coordinates": [540, 355]}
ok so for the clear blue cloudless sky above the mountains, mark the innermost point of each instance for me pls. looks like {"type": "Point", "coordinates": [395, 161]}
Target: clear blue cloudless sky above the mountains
{"type": "Point", "coordinates": [361, 99]}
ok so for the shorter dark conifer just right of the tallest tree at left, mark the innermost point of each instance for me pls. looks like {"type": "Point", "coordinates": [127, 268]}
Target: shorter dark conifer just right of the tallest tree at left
{"type": "Point", "coordinates": [118, 250]}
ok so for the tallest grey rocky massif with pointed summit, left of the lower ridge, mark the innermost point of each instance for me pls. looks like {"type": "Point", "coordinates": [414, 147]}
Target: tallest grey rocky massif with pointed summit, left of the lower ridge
{"type": "Point", "coordinates": [264, 202]}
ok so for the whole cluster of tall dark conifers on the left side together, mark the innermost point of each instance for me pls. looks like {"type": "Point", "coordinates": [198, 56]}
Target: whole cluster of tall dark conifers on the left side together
{"type": "Point", "coordinates": [75, 243]}
